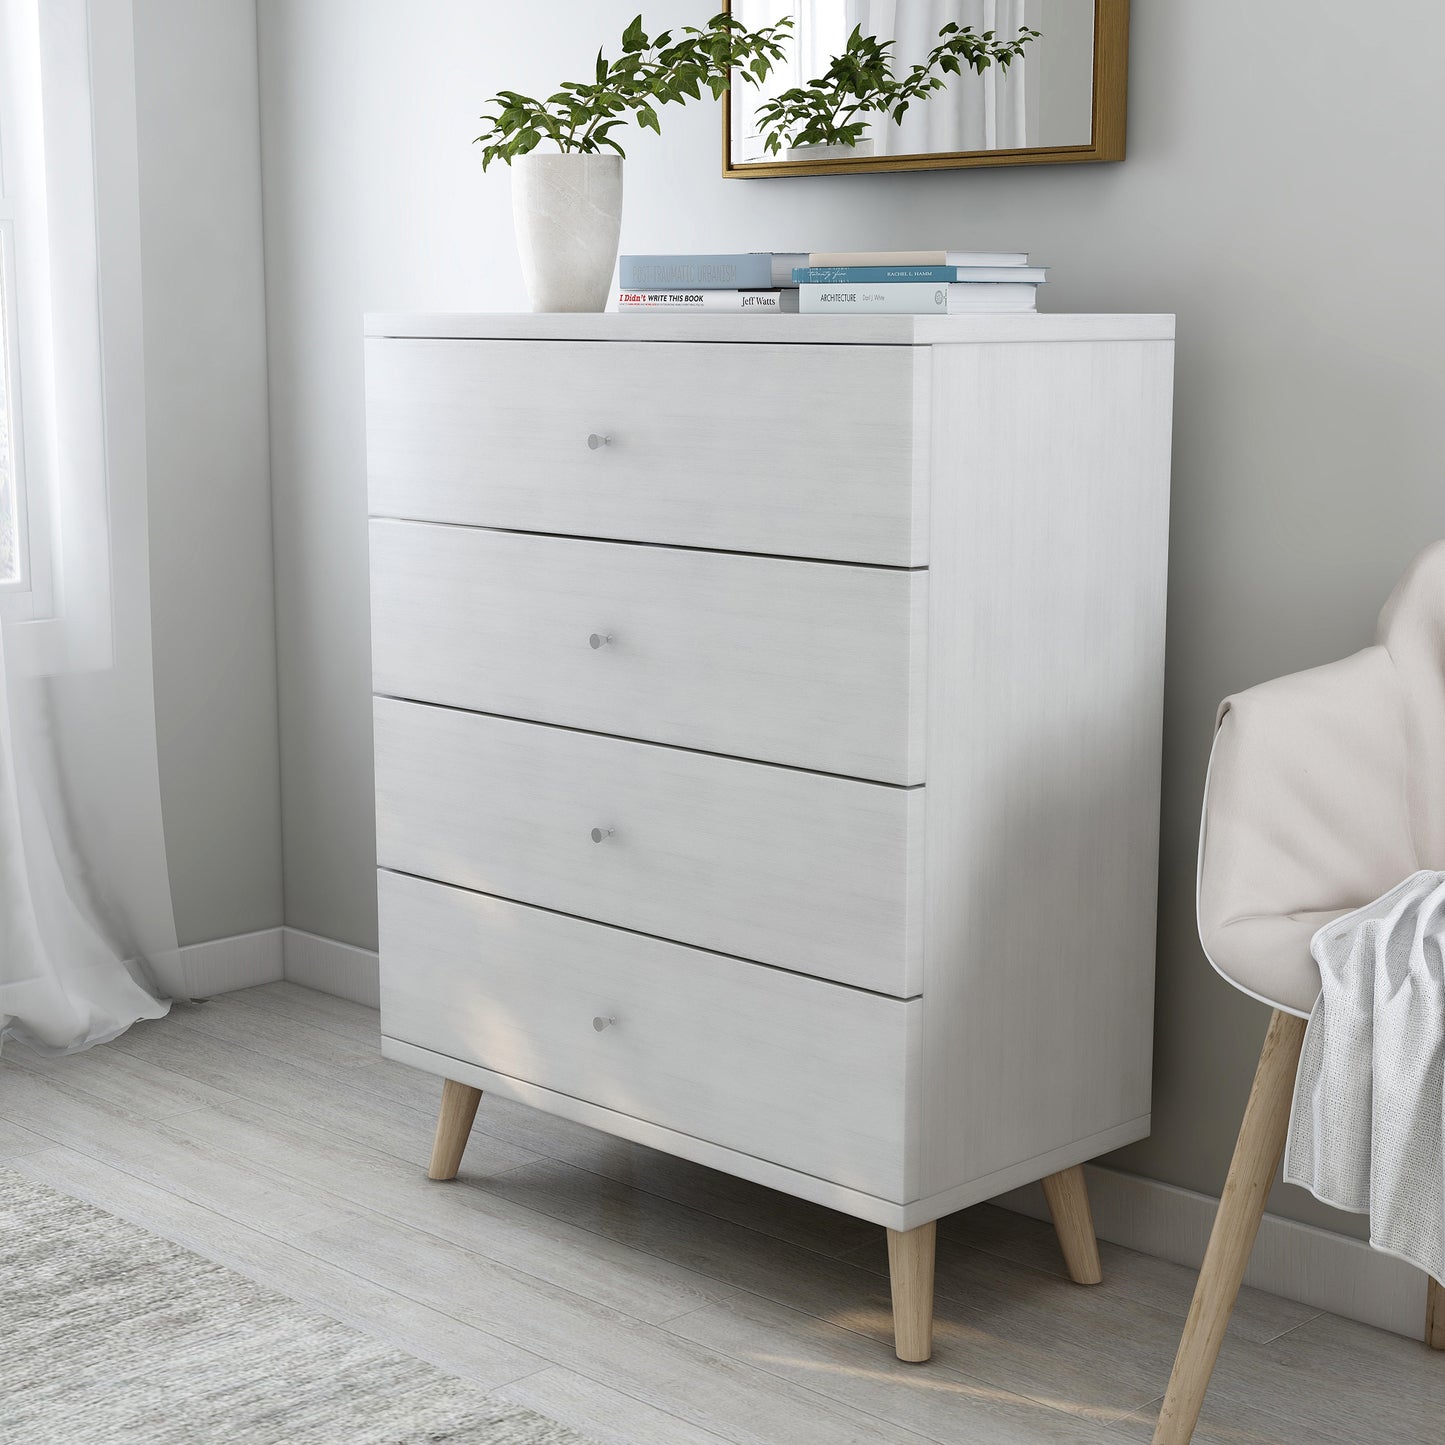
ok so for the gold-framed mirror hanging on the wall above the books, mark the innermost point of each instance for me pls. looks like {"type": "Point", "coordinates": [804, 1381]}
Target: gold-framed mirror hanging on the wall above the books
{"type": "Point", "coordinates": [1057, 96]}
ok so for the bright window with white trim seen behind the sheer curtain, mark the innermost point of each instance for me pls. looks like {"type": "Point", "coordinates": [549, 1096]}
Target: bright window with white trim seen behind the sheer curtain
{"type": "Point", "coordinates": [61, 369]}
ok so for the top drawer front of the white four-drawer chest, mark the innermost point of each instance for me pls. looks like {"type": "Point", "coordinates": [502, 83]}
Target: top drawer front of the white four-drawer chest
{"type": "Point", "coordinates": [791, 450]}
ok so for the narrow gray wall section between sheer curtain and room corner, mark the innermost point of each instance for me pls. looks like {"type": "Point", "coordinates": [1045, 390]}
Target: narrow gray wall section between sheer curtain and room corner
{"type": "Point", "coordinates": [213, 615]}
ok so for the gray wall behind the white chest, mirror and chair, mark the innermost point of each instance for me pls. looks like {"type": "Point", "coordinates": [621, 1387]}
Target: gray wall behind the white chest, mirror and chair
{"type": "Point", "coordinates": [1280, 197]}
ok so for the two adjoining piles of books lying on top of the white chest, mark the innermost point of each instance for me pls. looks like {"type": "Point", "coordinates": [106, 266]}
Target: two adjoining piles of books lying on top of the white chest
{"type": "Point", "coordinates": [833, 282]}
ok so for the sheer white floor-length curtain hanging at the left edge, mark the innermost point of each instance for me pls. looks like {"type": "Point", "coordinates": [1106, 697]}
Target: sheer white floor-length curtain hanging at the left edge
{"type": "Point", "coordinates": [87, 933]}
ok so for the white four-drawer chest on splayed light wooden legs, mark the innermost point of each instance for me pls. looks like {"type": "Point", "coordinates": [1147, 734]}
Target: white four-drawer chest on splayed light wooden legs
{"type": "Point", "coordinates": [768, 720]}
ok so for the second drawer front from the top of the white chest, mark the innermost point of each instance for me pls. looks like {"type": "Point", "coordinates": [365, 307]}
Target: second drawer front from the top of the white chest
{"type": "Point", "coordinates": [808, 664]}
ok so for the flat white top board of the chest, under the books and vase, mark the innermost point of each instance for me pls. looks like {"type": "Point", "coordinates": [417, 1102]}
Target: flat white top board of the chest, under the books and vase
{"type": "Point", "coordinates": [866, 330]}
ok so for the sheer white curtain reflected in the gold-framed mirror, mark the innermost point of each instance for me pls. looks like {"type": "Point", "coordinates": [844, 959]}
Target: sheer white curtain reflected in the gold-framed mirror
{"type": "Point", "coordinates": [975, 112]}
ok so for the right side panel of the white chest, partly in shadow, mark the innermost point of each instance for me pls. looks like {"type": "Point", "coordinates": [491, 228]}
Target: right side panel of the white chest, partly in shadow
{"type": "Point", "coordinates": [1051, 509]}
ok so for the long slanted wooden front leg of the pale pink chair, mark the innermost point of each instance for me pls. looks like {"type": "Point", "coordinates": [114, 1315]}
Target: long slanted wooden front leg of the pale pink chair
{"type": "Point", "coordinates": [1242, 1207]}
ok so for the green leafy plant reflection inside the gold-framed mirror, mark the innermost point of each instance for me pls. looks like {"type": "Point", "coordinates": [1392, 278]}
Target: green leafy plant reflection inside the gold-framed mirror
{"type": "Point", "coordinates": [834, 109]}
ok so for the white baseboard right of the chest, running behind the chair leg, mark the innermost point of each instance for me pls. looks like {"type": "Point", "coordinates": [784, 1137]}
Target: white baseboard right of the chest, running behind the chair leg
{"type": "Point", "coordinates": [1316, 1268]}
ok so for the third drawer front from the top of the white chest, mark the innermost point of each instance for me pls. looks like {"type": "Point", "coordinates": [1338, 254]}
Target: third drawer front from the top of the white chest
{"type": "Point", "coordinates": [813, 874]}
